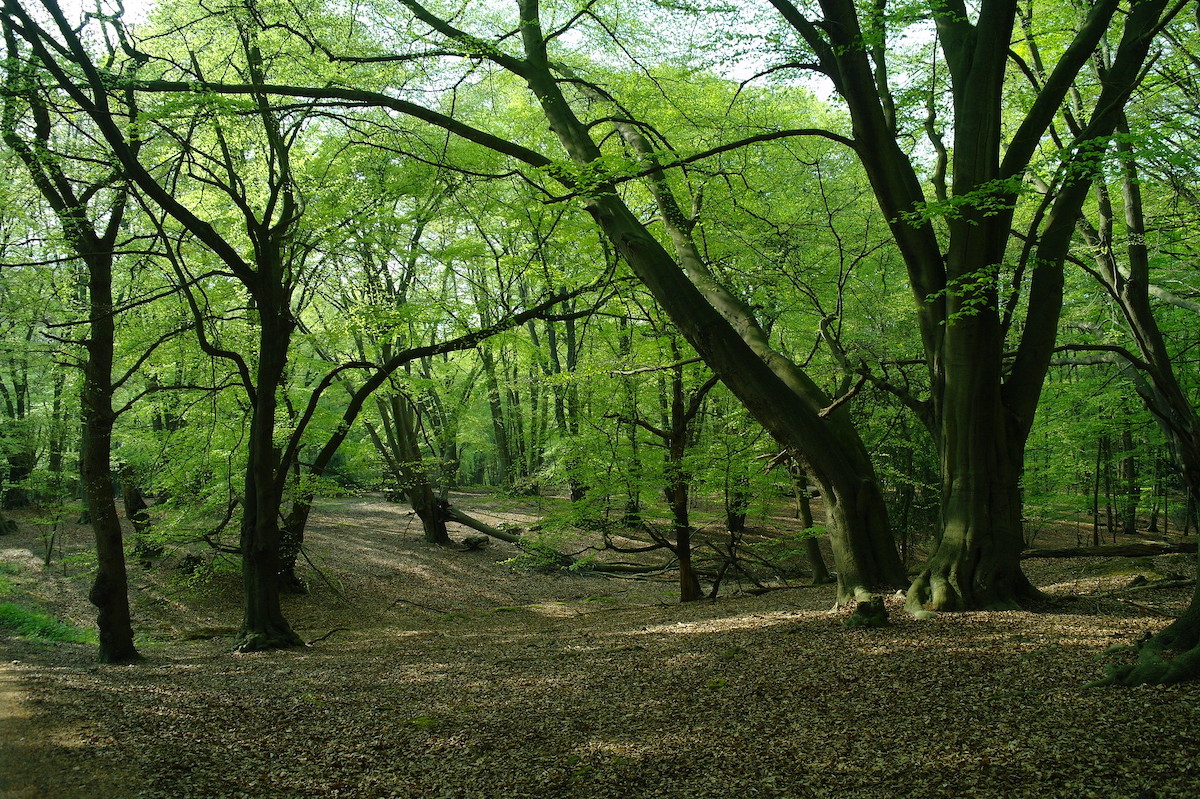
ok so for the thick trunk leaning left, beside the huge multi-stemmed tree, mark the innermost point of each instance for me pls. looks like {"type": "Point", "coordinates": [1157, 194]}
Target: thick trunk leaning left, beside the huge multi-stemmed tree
{"type": "Point", "coordinates": [773, 389]}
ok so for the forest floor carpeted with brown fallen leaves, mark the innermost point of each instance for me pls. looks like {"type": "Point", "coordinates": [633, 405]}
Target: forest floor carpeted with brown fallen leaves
{"type": "Point", "coordinates": [445, 674]}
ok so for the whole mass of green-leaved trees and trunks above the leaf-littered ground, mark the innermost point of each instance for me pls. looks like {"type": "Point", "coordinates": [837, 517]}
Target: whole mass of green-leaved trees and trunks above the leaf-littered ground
{"type": "Point", "coordinates": [667, 262]}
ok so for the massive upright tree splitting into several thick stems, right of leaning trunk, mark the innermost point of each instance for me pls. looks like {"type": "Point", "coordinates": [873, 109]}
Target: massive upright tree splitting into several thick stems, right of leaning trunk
{"type": "Point", "coordinates": [968, 271]}
